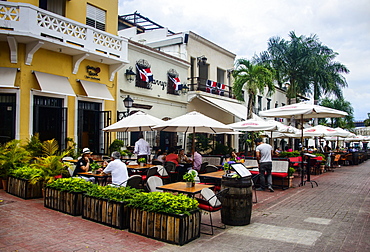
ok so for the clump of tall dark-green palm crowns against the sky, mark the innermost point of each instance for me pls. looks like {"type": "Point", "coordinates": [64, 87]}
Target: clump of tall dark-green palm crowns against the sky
{"type": "Point", "coordinates": [306, 65]}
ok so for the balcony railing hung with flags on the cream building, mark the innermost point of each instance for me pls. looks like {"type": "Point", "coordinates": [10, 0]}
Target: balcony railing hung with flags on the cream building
{"type": "Point", "coordinates": [200, 84]}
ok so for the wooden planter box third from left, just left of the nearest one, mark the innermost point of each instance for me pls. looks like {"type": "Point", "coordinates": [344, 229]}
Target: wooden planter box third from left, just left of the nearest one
{"type": "Point", "coordinates": [110, 213]}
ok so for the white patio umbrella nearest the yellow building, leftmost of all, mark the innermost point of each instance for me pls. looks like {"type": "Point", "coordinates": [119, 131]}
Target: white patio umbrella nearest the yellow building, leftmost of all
{"type": "Point", "coordinates": [139, 121]}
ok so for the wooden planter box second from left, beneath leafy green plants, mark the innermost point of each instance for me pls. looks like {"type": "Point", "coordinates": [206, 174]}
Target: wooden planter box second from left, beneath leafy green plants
{"type": "Point", "coordinates": [66, 202]}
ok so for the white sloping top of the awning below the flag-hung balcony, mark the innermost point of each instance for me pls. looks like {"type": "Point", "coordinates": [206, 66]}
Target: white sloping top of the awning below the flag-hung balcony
{"type": "Point", "coordinates": [235, 109]}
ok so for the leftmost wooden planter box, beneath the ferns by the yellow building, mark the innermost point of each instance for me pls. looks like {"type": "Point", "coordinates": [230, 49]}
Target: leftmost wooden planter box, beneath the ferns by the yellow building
{"type": "Point", "coordinates": [23, 189]}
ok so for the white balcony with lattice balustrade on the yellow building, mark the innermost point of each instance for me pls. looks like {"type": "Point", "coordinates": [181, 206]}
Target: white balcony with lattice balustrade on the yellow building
{"type": "Point", "coordinates": [37, 28]}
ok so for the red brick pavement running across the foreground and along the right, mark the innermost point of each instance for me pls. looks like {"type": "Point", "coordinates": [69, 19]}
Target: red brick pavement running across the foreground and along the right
{"type": "Point", "coordinates": [331, 217]}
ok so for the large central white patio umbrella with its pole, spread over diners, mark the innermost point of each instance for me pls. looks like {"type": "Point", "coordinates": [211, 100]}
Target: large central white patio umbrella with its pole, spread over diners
{"type": "Point", "coordinates": [193, 122]}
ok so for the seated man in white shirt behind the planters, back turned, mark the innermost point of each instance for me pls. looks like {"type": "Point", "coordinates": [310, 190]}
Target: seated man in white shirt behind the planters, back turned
{"type": "Point", "coordinates": [117, 168]}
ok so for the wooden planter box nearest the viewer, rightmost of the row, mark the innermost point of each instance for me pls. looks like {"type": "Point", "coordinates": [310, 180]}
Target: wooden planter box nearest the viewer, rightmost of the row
{"type": "Point", "coordinates": [171, 228]}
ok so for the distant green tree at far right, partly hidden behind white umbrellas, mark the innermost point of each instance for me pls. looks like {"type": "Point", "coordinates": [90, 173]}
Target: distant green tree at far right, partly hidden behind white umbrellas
{"type": "Point", "coordinates": [343, 105]}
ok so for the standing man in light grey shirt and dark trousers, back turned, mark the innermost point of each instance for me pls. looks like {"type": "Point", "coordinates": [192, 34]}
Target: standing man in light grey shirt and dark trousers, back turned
{"type": "Point", "coordinates": [264, 154]}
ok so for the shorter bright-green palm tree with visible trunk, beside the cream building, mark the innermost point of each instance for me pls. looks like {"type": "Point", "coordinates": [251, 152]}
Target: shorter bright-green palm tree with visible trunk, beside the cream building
{"type": "Point", "coordinates": [252, 78]}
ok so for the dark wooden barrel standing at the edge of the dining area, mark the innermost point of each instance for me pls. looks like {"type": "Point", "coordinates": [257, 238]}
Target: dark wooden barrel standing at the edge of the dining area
{"type": "Point", "coordinates": [237, 203]}
